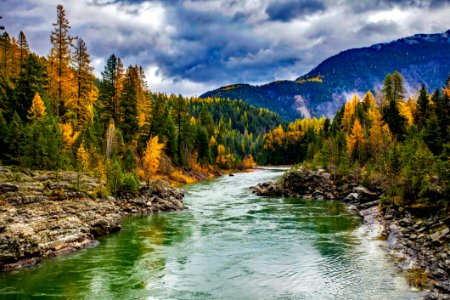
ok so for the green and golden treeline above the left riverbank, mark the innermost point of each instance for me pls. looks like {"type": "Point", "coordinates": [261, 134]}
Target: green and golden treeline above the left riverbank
{"type": "Point", "coordinates": [54, 114]}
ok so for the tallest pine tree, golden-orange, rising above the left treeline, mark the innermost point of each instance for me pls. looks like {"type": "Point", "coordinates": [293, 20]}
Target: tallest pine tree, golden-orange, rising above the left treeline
{"type": "Point", "coordinates": [61, 88]}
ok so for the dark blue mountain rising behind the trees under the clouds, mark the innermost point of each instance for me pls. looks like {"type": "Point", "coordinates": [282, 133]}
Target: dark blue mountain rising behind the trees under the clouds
{"type": "Point", "coordinates": [421, 58]}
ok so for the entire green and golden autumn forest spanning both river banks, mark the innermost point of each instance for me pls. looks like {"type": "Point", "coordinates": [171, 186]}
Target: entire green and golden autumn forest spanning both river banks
{"type": "Point", "coordinates": [56, 115]}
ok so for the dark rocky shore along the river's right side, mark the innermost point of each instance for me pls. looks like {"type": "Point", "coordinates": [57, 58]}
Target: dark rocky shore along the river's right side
{"type": "Point", "coordinates": [420, 245]}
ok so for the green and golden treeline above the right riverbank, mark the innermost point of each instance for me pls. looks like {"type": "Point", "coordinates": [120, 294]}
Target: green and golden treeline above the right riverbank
{"type": "Point", "coordinates": [399, 145]}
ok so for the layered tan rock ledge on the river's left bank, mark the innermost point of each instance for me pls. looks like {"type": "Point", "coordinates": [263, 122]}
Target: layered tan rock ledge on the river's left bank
{"type": "Point", "coordinates": [43, 214]}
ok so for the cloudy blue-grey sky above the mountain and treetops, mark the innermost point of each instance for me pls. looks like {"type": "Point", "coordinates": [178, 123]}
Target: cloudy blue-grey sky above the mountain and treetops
{"type": "Point", "coordinates": [190, 47]}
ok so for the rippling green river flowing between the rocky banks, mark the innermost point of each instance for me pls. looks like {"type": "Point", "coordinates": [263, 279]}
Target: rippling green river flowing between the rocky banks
{"type": "Point", "coordinates": [230, 244]}
